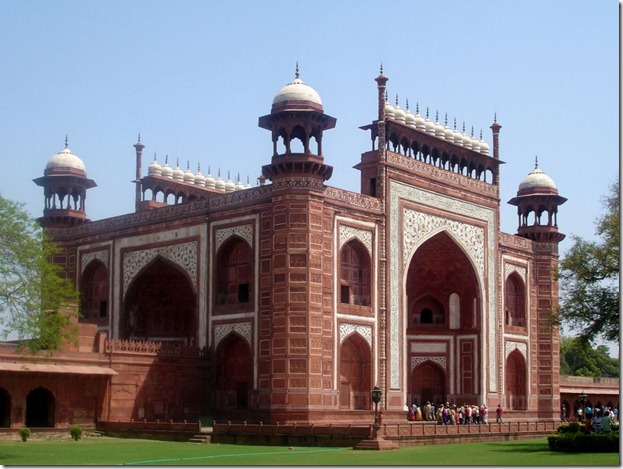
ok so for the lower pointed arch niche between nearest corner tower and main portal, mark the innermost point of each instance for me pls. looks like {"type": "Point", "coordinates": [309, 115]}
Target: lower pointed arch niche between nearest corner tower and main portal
{"type": "Point", "coordinates": [355, 370]}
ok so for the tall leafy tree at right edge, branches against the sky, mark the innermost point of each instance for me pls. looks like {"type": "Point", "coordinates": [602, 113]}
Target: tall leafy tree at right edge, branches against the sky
{"type": "Point", "coordinates": [589, 277]}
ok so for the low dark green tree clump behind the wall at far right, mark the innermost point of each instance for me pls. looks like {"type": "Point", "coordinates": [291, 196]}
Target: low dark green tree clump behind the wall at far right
{"type": "Point", "coordinates": [578, 358]}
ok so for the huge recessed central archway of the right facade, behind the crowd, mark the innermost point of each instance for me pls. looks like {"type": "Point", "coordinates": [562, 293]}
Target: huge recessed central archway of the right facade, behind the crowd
{"type": "Point", "coordinates": [442, 307]}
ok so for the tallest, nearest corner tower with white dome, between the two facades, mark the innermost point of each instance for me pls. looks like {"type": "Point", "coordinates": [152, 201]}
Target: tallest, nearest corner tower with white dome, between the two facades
{"type": "Point", "coordinates": [295, 369]}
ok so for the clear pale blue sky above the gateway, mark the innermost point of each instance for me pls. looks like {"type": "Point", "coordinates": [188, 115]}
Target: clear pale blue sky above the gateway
{"type": "Point", "coordinates": [192, 77]}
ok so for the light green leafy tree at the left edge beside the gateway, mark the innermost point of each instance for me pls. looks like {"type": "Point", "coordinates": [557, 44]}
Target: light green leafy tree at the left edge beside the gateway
{"type": "Point", "coordinates": [33, 290]}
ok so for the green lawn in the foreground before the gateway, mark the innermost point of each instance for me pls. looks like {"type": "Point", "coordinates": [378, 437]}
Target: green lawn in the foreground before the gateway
{"type": "Point", "coordinates": [120, 451]}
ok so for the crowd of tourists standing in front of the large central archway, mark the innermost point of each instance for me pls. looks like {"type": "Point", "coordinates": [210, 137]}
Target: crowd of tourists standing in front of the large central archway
{"type": "Point", "coordinates": [452, 414]}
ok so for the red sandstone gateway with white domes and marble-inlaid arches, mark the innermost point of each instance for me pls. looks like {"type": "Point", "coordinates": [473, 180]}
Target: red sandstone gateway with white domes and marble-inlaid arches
{"type": "Point", "coordinates": [289, 301]}
